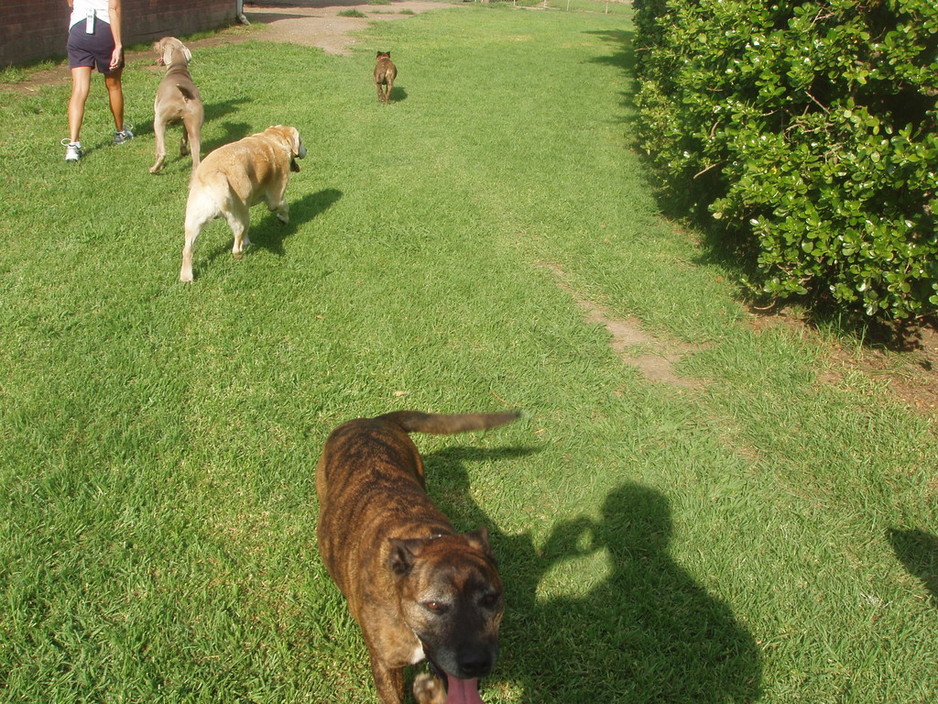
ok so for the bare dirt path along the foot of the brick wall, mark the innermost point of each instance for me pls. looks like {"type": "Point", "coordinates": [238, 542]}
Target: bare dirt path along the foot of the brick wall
{"type": "Point", "coordinates": [307, 22]}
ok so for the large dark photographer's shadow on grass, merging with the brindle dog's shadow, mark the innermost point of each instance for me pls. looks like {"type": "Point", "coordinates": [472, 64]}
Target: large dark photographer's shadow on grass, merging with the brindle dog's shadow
{"type": "Point", "coordinates": [645, 633]}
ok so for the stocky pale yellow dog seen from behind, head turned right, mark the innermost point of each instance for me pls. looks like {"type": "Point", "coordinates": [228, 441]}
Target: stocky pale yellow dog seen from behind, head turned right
{"type": "Point", "coordinates": [237, 176]}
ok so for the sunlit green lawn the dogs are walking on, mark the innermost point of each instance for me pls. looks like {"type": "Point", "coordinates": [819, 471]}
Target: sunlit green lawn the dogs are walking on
{"type": "Point", "coordinates": [766, 537]}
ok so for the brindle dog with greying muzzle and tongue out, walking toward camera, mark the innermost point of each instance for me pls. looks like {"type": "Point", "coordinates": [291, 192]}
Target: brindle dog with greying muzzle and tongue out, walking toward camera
{"type": "Point", "coordinates": [416, 587]}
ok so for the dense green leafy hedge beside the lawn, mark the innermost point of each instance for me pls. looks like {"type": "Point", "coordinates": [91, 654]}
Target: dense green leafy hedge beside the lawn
{"type": "Point", "coordinates": [810, 128]}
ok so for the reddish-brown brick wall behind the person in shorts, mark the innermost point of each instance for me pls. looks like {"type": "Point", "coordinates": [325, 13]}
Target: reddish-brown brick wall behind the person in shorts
{"type": "Point", "coordinates": [37, 29]}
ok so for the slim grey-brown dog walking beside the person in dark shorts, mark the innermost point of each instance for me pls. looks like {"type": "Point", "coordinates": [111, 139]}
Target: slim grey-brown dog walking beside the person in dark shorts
{"type": "Point", "coordinates": [177, 100]}
